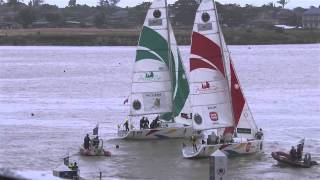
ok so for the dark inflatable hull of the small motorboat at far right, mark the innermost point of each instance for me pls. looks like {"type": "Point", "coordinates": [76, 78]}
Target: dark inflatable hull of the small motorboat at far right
{"type": "Point", "coordinates": [284, 158]}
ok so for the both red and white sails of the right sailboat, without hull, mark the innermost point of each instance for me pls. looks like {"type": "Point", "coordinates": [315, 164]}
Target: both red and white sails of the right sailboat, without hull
{"type": "Point", "coordinates": [210, 60]}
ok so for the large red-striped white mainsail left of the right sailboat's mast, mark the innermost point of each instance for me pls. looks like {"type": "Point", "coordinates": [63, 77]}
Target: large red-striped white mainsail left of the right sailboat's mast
{"type": "Point", "coordinates": [210, 98]}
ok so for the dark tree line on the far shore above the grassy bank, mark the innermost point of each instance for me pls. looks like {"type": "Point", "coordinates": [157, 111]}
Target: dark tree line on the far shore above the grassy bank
{"type": "Point", "coordinates": [106, 14]}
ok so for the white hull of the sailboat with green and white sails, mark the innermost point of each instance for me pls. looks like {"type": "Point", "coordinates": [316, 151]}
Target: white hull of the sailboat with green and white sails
{"type": "Point", "coordinates": [158, 133]}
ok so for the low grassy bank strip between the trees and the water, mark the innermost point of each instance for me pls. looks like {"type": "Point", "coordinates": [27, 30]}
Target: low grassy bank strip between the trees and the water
{"type": "Point", "coordinates": [124, 37]}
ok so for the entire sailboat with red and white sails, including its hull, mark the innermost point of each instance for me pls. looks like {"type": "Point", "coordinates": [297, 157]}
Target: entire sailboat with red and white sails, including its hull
{"type": "Point", "coordinates": [220, 110]}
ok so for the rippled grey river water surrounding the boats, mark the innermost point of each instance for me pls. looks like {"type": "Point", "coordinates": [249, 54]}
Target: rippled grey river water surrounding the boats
{"type": "Point", "coordinates": [70, 89]}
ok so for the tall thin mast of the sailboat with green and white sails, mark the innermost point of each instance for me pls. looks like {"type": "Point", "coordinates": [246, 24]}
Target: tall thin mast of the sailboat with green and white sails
{"type": "Point", "coordinates": [169, 57]}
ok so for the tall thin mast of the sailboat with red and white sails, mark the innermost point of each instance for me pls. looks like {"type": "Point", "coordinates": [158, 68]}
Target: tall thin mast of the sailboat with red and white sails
{"type": "Point", "coordinates": [223, 57]}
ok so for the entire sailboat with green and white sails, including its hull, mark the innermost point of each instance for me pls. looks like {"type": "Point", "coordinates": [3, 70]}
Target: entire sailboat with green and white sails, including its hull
{"type": "Point", "coordinates": [159, 83]}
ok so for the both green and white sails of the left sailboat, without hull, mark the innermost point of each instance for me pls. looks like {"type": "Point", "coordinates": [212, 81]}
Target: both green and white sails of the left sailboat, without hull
{"type": "Point", "coordinates": [159, 84]}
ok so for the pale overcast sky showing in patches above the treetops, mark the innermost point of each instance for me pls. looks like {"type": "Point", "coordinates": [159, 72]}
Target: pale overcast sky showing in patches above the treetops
{"type": "Point", "coordinates": [124, 3]}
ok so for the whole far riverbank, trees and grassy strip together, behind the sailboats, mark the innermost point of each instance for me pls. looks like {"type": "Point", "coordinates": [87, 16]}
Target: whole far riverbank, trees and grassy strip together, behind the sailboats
{"type": "Point", "coordinates": [37, 23]}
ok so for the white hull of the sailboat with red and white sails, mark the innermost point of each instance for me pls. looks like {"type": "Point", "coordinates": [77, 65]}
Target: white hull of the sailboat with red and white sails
{"type": "Point", "coordinates": [238, 148]}
